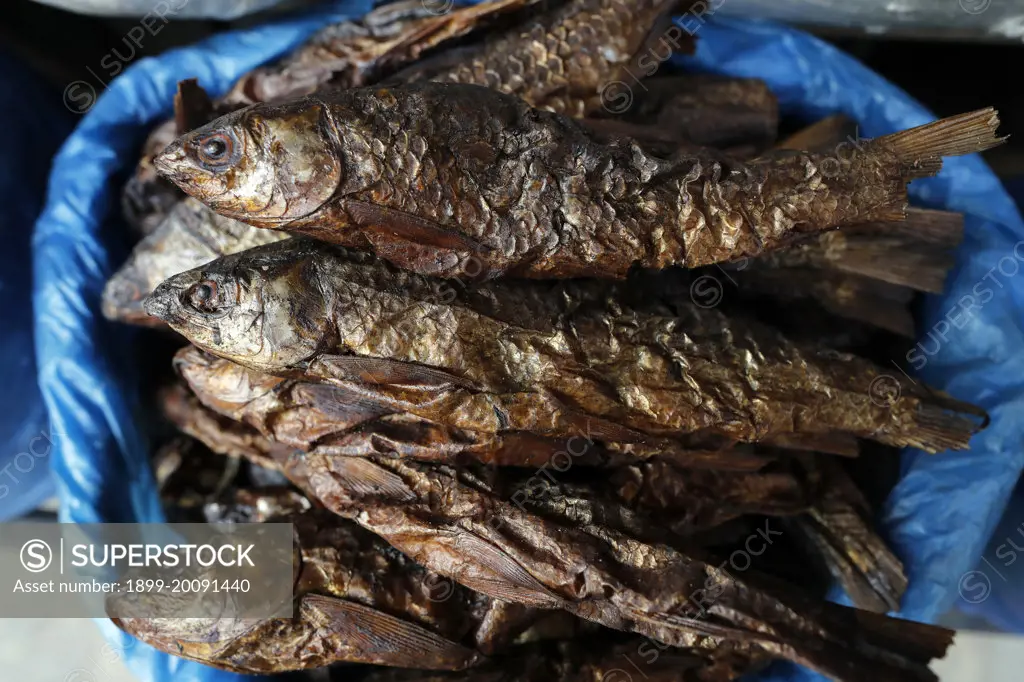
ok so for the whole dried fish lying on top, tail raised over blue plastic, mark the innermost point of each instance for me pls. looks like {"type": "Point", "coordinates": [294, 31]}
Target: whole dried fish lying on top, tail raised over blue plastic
{"type": "Point", "coordinates": [433, 176]}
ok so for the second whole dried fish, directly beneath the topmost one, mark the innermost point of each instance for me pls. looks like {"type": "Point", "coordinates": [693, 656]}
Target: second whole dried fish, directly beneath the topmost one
{"type": "Point", "coordinates": [487, 360]}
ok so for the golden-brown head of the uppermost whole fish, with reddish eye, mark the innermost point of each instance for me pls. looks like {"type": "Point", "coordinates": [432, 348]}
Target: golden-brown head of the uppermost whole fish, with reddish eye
{"type": "Point", "coordinates": [267, 164]}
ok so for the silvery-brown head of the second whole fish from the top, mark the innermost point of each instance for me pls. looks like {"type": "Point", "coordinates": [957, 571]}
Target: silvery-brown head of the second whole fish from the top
{"type": "Point", "coordinates": [261, 308]}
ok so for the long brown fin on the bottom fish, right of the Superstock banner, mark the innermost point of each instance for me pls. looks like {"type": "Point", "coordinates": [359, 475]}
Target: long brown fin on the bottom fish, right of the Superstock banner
{"type": "Point", "coordinates": [374, 637]}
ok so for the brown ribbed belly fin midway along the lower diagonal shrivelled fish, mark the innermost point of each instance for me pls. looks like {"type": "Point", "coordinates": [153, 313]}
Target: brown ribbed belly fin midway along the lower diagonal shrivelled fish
{"type": "Point", "coordinates": [508, 580]}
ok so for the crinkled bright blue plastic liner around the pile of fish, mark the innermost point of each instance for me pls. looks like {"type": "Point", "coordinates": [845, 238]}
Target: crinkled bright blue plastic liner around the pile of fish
{"type": "Point", "coordinates": [942, 514]}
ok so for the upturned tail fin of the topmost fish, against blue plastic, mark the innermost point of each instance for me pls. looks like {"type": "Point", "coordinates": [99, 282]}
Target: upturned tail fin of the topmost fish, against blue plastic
{"type": "Point", "coordinates": [921, 150]}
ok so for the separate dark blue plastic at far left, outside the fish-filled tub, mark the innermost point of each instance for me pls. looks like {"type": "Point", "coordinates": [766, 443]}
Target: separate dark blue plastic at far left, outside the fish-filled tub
{"type": "Point", "coordinates": [34, 123]}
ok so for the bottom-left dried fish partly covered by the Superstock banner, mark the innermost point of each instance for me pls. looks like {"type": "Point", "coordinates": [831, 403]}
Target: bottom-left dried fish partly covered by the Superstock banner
{"type": "Point", "coordinates": [357, 601]}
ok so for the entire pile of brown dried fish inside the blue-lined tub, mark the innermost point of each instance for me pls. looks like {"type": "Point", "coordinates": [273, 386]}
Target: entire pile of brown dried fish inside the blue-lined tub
{"type": "Point", "coordinates": [447, 306]}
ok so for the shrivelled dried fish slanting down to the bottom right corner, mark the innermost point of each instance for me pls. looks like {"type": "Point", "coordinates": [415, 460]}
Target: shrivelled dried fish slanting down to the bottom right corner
{"type": "Point", "coordinates": [450, 523]}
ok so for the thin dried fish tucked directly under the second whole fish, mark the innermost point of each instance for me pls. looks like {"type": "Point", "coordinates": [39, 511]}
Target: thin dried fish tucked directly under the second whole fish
{"type": "Point", "coordinates": [342, 422]}
